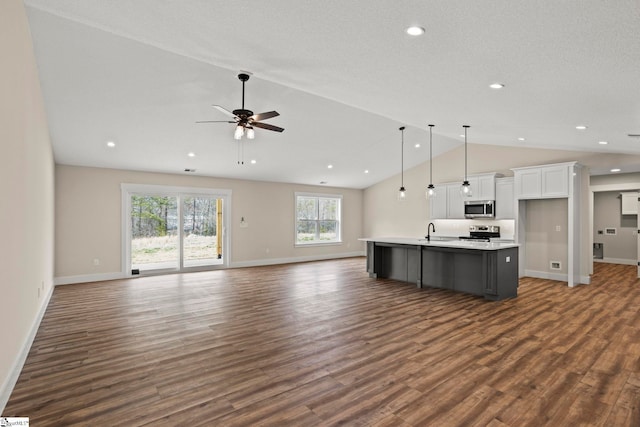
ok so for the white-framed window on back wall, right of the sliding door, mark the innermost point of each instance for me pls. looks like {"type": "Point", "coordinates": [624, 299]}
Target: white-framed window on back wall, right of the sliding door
{"type": "Point", "coordinates": [318, 219]}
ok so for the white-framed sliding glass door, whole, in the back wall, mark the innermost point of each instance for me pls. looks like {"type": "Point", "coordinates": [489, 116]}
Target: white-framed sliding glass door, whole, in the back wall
{"type": "Point", "coordinates": [173, 229]}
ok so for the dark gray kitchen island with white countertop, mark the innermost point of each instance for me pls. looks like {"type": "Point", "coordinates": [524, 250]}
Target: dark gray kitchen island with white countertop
{"type": "Point", "coordinates": [486, 269]}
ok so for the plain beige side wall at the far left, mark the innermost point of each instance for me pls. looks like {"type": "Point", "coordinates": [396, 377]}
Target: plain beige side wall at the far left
{"type": "Point", "coordinates": [26, 173]}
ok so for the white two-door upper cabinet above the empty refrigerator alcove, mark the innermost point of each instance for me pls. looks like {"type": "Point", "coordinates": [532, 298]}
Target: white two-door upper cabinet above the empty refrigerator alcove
{"type": "Point", "coordinates": [540, 182]}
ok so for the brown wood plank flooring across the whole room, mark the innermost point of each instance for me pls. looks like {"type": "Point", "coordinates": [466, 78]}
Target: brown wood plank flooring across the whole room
{"type": "Point", "coordinates": [322, 344]}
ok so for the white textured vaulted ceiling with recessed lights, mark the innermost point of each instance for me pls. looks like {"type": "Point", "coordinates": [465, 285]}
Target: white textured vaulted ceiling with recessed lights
{"type": "Point", "coordinates": [343, 75]}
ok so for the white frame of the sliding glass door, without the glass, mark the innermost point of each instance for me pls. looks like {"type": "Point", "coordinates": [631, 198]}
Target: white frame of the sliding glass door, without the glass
{"type": "Point", "coordinates": [127, 190]}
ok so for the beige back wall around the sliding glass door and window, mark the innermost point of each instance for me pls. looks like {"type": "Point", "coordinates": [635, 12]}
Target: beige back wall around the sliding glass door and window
{"type": "Point", "coordinates": [88, 220]}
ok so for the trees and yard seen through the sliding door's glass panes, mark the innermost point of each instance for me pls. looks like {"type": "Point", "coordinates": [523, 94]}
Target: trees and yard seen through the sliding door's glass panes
{"type": "Point", "coordinates": [154, 230]}
